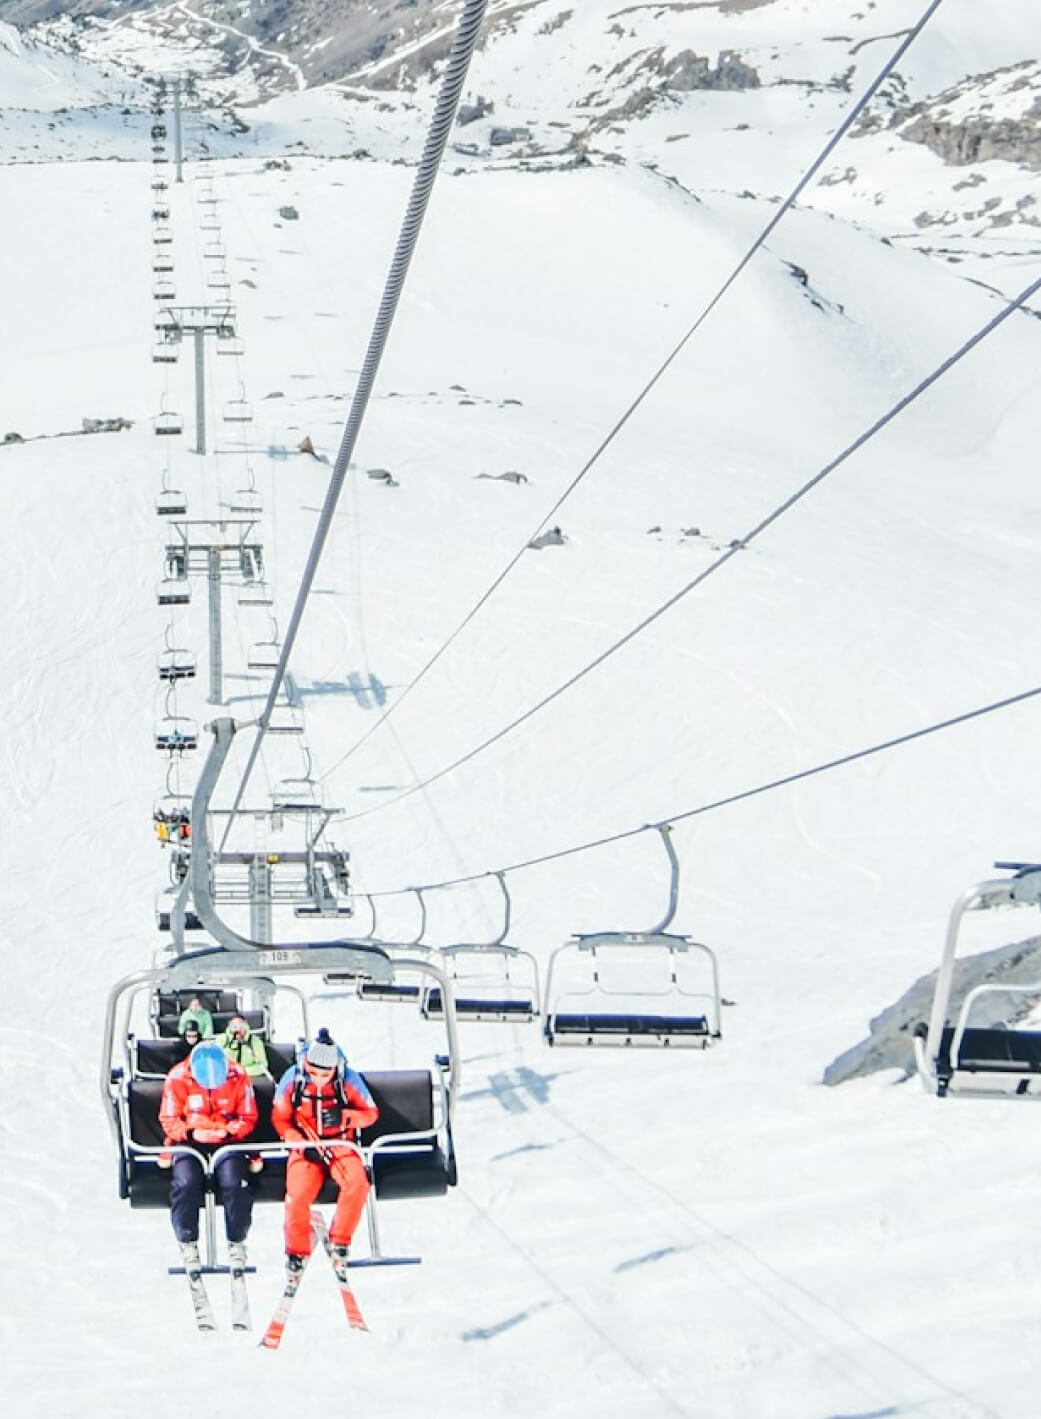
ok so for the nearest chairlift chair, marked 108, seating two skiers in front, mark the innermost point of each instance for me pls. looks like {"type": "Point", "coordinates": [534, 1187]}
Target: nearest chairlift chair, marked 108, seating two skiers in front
{"type": "Point", "coordinates": [409, 1153]}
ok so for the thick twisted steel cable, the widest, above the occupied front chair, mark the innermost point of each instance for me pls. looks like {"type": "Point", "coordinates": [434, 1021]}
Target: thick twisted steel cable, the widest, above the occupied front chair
{"type": "Point", "coordinates": [442, 123]}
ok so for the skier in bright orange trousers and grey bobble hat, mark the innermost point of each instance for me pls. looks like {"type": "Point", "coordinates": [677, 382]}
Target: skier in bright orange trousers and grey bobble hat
{"type": "Point", "coordinates": [324, 1102]}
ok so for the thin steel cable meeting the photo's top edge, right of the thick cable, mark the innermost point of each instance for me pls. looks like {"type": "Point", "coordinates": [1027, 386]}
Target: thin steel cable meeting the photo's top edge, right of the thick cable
{"type": "Point", "coordinates": [632, 409]}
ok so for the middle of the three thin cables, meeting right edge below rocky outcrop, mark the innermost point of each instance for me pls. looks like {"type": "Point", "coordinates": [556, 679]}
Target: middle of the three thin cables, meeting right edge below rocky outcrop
{"type": "Point", "coordinates": [738, 546]}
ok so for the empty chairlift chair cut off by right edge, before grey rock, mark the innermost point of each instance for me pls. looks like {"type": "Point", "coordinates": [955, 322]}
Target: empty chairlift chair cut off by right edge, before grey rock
{"type": "Point", "coordinates": [992, 1058]}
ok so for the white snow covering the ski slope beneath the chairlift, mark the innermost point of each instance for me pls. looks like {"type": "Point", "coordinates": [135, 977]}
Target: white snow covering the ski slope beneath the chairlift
{"type": "Point", "coordinates": [636, 1234]}
